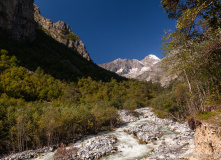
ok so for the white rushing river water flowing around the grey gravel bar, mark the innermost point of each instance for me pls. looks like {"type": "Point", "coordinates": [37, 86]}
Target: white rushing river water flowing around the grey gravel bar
{"type": "Point", "coordinates": [127, 144]}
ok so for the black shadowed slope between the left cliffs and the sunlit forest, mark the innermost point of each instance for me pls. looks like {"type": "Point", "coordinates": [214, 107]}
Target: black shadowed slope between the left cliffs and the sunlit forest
{"type": "Point", "coordinates": [54, 58]}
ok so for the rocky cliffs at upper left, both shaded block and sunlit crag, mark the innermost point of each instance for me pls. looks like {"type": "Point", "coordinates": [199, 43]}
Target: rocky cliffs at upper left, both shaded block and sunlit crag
{"type": "Point", "coordinates": [21, 18]}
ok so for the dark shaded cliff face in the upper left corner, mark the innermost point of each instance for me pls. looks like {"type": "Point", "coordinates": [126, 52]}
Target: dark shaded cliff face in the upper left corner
{"type": "Point", "coordinates": [17, 18]}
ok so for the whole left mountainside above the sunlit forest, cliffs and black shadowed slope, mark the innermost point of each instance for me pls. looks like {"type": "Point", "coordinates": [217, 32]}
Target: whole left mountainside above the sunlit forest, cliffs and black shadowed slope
{"type": "Point", "coordinates": [35, 45]}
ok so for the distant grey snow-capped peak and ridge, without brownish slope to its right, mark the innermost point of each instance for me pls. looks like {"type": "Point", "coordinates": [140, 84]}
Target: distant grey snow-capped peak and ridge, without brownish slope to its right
{"type": "Point", "coordinates": [131, 68]}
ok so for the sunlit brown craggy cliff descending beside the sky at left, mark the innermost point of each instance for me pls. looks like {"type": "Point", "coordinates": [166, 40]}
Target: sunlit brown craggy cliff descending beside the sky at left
{"type": "Point", "coordinates": [61, 32]}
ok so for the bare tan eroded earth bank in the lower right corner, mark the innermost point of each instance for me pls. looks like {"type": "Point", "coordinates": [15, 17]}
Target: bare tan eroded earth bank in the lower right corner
{"type": "Point", "coordinates": [207, 142]}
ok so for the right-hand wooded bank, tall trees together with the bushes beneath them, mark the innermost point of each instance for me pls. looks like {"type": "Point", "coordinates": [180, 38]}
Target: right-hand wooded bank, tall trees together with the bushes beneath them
{"type": "Point", "coordinates": [193, 53]}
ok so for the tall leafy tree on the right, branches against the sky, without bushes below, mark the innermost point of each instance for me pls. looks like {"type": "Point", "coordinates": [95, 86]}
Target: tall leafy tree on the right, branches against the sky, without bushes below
{"type": "Point", "coordinates": [193, 50]}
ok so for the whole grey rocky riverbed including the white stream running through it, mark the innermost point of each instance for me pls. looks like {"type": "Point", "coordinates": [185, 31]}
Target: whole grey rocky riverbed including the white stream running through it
{"type": "Point", "coordinates": [142, 137]}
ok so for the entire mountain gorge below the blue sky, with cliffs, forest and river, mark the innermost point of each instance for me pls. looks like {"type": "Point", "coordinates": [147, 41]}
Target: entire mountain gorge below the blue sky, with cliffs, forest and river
{"type": "Point", "coordinates": [52, 94]}
